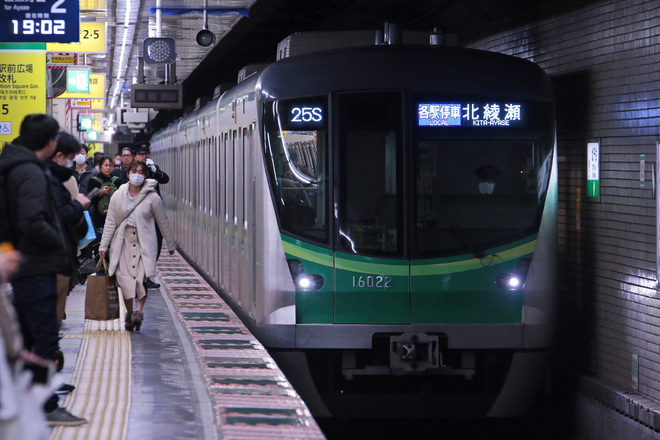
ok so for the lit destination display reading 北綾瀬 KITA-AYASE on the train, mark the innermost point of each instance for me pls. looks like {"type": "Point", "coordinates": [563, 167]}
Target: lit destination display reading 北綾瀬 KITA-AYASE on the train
{"type": "Point", "coordinates": [470, 114]}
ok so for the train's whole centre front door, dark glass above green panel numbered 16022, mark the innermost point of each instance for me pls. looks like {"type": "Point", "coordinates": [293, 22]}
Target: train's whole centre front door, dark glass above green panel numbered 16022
{"type": "Point", "coordinates": [371, 274]}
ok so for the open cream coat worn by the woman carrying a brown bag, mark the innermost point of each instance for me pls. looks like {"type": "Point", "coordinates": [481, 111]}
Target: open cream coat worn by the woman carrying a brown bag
{"type": "Point", "coordinates": [149, 208]}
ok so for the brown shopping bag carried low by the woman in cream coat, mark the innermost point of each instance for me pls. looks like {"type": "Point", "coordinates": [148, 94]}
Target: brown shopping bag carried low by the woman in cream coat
{"type": "Point", "coordinates": [101, 297]}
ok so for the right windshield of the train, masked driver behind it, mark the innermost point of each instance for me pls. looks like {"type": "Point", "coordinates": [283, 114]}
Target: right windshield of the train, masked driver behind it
{"type": "Point", "coordinates": [475, 194]}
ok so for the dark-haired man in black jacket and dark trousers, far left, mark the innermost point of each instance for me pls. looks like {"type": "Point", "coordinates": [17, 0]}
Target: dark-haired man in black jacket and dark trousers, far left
{"type": "Point", "coordinates": [37, 233]}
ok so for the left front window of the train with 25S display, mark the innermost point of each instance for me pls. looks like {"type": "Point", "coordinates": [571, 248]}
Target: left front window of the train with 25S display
{"type": "Point", "coordinates": [296, 154]}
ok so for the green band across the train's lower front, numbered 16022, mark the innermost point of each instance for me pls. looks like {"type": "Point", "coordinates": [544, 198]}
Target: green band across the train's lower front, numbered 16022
{"type": "Point", "coordinates": [457, 289]}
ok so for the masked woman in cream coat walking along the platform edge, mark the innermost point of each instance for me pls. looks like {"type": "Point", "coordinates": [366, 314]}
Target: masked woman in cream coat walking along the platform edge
{"type": "Point", "coordinates": [130, 233]}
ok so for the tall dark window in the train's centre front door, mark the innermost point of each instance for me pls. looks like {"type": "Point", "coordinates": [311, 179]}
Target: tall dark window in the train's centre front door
{"type": "Point", "coordinates": [370, 173]}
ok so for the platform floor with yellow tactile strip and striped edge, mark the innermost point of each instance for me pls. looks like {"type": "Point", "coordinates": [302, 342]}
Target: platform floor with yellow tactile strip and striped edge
{"type": "Point", "coordinates": [193, 371]}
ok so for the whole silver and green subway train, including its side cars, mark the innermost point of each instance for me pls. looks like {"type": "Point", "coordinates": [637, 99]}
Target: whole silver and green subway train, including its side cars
{"type": "Point", "coordinates": [384, 219]}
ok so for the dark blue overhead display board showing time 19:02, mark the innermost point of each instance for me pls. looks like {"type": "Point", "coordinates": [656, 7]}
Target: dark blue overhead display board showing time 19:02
{"type": "Point", "coordinates": [43, 21]}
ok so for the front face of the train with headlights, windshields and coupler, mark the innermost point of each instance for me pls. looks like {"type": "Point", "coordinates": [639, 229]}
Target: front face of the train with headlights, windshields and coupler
{"type": "Point", "coordinates": [415, 188]}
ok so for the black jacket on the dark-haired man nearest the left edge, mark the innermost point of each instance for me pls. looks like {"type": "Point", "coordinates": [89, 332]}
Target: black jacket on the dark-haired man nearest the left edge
{"type": "Point", "coordinates": [32, 212]}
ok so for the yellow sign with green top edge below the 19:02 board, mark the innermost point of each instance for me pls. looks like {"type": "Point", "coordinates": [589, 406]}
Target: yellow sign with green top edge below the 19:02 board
{"type": "Point", "coordinates": [22, 85]}
